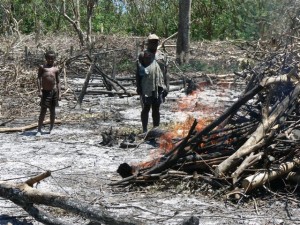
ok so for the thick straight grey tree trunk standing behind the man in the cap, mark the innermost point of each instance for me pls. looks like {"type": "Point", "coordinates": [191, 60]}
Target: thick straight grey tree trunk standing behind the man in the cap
{"type": "Point", "coordinates": [183, 37]}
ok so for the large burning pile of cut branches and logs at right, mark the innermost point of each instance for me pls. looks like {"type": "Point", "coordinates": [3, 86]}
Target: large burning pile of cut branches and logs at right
{"type": "Point", "coordinates": [254, 142]}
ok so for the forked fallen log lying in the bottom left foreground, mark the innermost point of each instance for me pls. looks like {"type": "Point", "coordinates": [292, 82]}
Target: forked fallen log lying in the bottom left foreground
{"type": "Point", "coordinates": [26, 197]}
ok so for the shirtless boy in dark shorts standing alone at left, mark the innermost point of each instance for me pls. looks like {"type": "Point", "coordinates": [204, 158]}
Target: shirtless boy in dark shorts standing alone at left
{"type": "Point", "coordinates": [49, 90]}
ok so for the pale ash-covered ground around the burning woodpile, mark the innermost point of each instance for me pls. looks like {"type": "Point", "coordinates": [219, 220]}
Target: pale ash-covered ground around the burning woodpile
{"type": "Point", "coordinates": [83, 168]}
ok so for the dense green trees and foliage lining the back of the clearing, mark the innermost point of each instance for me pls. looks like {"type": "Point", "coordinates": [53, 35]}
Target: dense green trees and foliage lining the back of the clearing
{"type": "Point", "coordinates": [211, 19]}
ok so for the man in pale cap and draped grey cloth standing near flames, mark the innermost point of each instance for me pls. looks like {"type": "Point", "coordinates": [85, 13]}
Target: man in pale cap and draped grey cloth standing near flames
{"type": "Point", "coordinates": [152, 81]}
